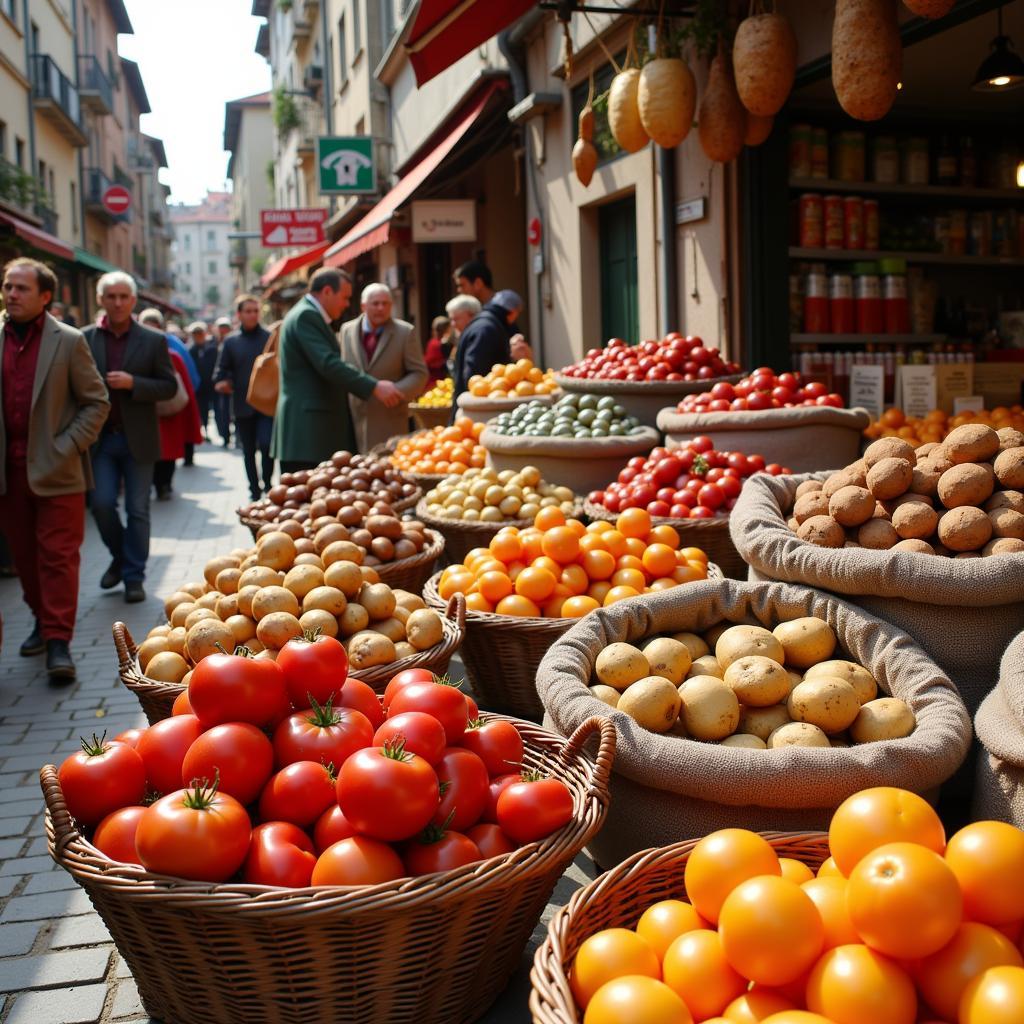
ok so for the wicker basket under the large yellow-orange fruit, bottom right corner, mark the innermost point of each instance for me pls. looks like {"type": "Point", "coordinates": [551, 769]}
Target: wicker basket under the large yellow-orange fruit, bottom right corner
{"type": "Point", "coordinates": [618, 900]}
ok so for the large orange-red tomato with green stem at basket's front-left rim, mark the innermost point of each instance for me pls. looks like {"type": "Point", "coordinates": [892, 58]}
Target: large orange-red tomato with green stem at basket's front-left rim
{"type": "Point", "coordinates": [201, 835]}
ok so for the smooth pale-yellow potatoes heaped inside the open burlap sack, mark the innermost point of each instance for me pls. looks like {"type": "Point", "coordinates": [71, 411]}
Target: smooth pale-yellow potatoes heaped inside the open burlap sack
{"type": "Point", "coordinates": [750, 687]}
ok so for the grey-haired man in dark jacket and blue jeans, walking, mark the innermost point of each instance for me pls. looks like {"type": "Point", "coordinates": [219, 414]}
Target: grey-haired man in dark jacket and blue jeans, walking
{"type": "Point", "coordinates": [137, 366]}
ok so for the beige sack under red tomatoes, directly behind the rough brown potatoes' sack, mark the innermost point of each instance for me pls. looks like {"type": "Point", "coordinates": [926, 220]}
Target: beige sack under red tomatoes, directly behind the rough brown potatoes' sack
{"type": "Point", "coordinates": [803, 440]}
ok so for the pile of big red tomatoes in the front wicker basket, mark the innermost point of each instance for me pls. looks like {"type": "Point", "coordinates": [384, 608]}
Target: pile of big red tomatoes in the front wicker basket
{"type": "Point", "coordinates": [289, 774]}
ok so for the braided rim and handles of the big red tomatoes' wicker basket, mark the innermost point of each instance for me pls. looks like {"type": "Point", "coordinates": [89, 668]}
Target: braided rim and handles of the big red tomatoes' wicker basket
{"type": "Point", "coordinates": [68, 845]}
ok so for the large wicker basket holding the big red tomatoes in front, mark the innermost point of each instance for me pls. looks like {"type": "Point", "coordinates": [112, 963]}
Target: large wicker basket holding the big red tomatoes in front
{"type": "Point", "coordinates": [436, 950]}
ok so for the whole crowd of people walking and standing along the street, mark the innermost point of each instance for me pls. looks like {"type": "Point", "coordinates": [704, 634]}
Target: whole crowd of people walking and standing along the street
{"type": "Point", "coordinates": [110, 411]}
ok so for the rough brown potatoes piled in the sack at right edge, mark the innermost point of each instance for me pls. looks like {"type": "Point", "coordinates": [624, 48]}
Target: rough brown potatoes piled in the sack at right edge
{"type": "Point", "coordinates": [963, 497]}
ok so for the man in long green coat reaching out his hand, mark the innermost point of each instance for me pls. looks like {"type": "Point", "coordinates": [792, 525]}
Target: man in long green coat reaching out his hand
{"type": "Point", "coordinates": [314, 420]}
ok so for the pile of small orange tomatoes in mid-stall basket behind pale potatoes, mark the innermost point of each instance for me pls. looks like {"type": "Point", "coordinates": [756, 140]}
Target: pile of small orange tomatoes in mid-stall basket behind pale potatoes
{"type": "Point", "coordinates": [561, 569]}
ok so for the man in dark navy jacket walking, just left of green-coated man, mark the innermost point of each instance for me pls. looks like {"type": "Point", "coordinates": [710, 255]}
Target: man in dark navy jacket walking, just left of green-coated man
{"type": "Point", "coordinates": [235, 368]}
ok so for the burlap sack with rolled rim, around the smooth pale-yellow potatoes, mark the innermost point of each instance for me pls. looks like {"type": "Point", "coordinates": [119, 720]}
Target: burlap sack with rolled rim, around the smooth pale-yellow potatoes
{"type": "Point", "coordinates": [666, 789]}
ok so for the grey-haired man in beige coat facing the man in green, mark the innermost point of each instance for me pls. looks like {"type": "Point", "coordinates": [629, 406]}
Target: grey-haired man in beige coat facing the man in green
{"type": "Point", "coordinates": [389, 349]}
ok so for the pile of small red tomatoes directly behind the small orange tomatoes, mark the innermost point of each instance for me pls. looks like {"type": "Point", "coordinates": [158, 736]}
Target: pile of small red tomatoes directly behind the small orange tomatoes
{"type": "Point", "coordinates": [694, 482]}
